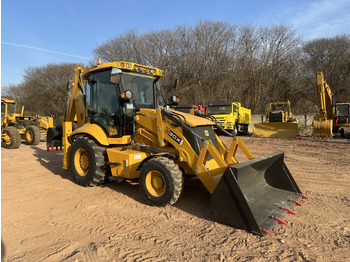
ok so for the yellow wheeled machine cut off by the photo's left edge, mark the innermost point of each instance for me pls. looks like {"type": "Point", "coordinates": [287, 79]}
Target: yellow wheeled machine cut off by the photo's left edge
{"type": "Point", "coordinates": [15, 127]}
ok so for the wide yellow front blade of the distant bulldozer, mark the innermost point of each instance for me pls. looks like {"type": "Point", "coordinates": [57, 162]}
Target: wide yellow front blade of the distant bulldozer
{"type": "Point", "coordinates": [276, 129]}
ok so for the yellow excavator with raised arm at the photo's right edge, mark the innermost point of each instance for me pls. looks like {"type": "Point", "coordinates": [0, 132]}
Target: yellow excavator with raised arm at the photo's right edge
{"type": "Point", "coordinates": [332, 117]}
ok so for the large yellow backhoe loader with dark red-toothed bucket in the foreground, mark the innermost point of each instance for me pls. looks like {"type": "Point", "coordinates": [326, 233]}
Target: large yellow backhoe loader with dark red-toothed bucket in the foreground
{"type": "Point", "coordinates": [126, 131]}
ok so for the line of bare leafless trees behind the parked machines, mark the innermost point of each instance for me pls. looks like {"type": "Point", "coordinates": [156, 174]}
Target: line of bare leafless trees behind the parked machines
{"type": "Point", "coordinates": [213, 61]}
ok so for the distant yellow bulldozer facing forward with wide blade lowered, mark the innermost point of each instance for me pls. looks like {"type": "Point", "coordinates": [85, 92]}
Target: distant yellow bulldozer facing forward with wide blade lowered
{"type": "Point", "coordinates": [279, 121]}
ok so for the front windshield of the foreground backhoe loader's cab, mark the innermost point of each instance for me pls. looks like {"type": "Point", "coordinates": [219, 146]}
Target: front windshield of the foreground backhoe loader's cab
{"type": "Point", "coordinates": [141, 87]}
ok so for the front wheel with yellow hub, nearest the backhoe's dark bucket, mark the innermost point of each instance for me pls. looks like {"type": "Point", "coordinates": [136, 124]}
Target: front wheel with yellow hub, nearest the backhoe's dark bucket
{"type": "Point", "coordinates": [161, 181]}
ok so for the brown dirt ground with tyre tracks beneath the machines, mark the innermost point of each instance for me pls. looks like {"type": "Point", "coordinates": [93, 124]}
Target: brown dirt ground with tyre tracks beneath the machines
{"type": "Point", "coordinates": [45, 216]}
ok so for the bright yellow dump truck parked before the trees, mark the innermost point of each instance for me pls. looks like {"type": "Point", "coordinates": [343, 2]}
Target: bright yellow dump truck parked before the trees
{"type": "Point", "coordinates": [231, 116]}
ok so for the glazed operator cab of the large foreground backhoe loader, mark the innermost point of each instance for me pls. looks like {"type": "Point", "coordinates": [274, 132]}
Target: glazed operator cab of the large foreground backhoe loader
{"type": "Point", "coordinates": [113, 96]}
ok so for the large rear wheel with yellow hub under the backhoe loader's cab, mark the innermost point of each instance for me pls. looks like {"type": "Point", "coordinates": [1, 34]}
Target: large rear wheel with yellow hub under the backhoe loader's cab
{"type": "Point", "coordinates": [87, 161]}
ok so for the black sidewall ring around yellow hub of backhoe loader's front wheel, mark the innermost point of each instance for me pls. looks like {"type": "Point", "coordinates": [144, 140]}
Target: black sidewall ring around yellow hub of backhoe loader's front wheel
{"type": "Point", "coordinates": [169, 192]}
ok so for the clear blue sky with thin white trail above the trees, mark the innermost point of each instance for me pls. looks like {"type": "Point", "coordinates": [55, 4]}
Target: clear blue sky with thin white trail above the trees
{"type": "Point", "coordinates": [39, 32]}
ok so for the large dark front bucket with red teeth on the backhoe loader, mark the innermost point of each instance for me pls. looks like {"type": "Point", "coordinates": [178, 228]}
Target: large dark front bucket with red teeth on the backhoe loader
{"type": "Point", "coordinates": [256, 194]}
